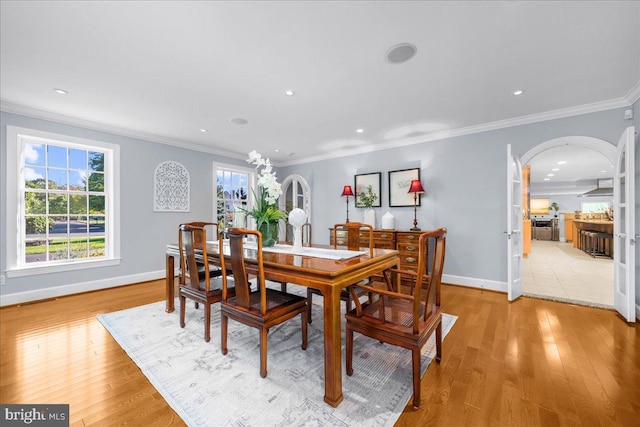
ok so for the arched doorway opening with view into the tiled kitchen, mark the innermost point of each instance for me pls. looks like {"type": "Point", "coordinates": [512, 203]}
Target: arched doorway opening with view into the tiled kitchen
{"type": "Point", "coordinates": [557, 266]}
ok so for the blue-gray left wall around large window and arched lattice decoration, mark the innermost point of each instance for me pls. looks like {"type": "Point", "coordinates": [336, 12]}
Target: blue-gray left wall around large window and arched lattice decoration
{"type": "Point", "coordinates": [144, 233]}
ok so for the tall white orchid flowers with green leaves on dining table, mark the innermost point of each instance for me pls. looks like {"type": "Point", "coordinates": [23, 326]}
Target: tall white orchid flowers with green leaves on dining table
{"type": "Point", "coordinates": [265, 211]}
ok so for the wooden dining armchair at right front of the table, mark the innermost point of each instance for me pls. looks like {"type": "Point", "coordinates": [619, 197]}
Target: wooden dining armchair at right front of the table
{"type": "Point", "coordinates": [401, 319]}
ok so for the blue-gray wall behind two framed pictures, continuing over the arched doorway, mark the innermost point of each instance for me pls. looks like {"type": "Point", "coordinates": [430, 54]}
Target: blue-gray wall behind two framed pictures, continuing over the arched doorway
{"type": "Point", "coordinates": [465, 182]}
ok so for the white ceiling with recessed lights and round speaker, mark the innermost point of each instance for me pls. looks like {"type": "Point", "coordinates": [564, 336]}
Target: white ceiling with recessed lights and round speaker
{"type": "Point", "coordinates": [165, 70]}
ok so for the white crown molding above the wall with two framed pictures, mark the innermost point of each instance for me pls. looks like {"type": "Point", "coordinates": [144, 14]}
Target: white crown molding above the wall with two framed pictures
{"type": "Point", "coordinates": [469, 130]}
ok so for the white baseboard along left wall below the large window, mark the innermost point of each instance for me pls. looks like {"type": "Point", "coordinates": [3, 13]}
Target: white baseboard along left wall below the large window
{"type": "Point", "coordinates": [58, 291]}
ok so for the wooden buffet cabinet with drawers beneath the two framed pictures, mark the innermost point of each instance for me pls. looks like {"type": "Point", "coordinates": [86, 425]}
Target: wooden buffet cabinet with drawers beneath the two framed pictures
{"type": "Point", "coordinates": [405, 242]}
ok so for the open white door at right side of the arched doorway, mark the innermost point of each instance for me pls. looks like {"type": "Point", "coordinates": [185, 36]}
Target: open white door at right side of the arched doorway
{"type": "Point", "coordinates": [624, 227]}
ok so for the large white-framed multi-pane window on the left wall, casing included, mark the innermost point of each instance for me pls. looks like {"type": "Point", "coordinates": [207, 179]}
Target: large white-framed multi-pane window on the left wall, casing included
{"type": "Point", "coordinates": [63, 192]}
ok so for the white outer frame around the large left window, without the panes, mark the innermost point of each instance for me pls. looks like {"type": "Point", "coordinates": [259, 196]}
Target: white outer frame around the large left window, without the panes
{"type": "Point", "coordinates": [15, 219]}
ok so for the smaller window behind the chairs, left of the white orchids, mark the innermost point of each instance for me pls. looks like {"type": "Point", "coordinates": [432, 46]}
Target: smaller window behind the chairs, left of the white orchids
{"type": "Point", "coordinates": [233, 186]}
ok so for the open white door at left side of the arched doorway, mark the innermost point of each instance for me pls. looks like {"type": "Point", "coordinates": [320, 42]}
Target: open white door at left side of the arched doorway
{"type": "Point", "coordinates": [514, 226]}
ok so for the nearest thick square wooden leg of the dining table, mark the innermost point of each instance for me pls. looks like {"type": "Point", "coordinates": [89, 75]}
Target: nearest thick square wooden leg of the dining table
{"type": "Point", "coordinates": [332, 347]}
